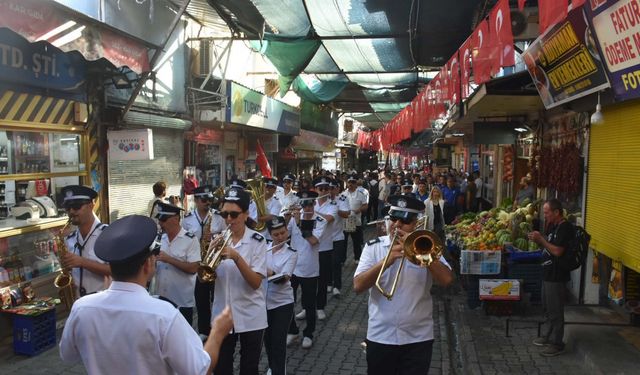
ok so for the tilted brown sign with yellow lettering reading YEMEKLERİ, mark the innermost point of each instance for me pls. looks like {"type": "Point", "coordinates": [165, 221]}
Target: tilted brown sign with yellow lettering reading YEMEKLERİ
{"type": "Point", "coordinates": [564, 63]}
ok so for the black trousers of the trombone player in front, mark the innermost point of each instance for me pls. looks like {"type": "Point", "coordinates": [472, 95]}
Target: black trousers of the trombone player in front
{"type": "Point", "coordinates": [409, 359]}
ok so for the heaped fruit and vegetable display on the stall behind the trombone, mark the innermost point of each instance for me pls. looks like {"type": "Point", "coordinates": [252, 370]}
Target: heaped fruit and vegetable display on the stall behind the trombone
{"type": "Point", "coordinates": [492, 230]}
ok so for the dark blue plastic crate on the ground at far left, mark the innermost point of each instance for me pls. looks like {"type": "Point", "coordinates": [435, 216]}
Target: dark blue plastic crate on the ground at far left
{"type": "Point", "coordinates": [34, 334]}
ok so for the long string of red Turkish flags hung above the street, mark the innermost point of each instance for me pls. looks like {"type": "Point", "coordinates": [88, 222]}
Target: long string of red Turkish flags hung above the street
{"type": "Point", "coordinates": [488, 49]}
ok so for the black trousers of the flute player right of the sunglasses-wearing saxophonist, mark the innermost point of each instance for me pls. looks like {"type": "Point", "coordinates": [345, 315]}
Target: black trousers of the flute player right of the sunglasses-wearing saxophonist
{"type": "Point", "coordinates": [275, 337]}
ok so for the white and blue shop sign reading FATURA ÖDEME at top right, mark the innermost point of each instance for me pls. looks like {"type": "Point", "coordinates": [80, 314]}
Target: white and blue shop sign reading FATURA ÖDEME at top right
{"type": "Point", "coordinates": [616, 25]}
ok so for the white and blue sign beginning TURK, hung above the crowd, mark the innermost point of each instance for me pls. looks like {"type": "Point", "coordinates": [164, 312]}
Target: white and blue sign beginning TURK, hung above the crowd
{"type": "Point", "coordinates": [249, 107]}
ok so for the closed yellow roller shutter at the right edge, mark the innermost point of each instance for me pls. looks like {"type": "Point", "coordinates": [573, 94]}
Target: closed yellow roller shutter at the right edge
{"type": "Point", "coordinates": [613, 190]}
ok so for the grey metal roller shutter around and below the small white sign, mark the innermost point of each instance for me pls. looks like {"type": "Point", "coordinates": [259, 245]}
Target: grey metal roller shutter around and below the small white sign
{"type": "Point", "coordinates": [130, 182]}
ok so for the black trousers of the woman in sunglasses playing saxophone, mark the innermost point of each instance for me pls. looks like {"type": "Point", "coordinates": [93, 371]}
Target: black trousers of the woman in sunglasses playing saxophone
{"type": "Point", "coordinates": [250, 348]}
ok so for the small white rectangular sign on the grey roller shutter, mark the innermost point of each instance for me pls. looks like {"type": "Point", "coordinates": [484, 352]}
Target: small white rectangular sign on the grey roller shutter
{"type": "Point", "coordinates": [130, 144]}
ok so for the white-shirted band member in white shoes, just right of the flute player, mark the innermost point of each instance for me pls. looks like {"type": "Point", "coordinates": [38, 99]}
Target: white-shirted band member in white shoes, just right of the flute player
{"type": "Point", "coordinates": [306, 230]}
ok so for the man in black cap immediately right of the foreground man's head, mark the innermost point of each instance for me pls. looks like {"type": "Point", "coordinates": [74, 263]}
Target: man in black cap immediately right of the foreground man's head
{"type": "Point", "coordinates": [179, 260]}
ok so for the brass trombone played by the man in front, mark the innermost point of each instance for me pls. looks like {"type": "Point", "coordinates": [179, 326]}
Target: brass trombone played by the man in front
{"type": "Point", "coordinates": [421, 247]}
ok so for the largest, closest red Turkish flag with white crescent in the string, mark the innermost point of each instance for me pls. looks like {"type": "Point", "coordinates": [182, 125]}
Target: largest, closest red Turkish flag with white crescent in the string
{"type": "Point", "coordinates": [501, 37]}
